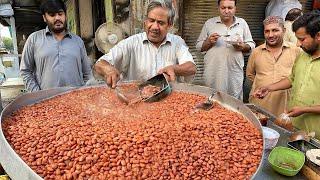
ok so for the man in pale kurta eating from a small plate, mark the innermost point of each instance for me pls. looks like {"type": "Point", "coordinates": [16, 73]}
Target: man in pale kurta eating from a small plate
{"type": "Point", "coordinates": [224, 39]}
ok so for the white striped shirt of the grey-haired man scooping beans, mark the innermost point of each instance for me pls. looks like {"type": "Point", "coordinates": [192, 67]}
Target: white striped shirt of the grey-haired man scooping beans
{"type": "Point", "coordinates": [138, 59]}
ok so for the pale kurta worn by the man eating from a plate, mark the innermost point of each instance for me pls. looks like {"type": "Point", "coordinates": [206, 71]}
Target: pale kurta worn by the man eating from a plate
{"type": "Point", "coordinates": [223, 65]}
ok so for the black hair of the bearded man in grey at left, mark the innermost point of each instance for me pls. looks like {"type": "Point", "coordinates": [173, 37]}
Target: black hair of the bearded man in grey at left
{"type": "Point", "coordinates": [52, 6]}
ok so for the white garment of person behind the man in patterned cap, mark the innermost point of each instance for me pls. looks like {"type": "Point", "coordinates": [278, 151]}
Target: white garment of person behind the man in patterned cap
{"type": "Point", "coordinates": [281, 7]}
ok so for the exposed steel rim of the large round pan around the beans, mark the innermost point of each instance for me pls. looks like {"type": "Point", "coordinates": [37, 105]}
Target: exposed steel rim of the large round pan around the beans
{"type": "Point", "coordinates": [16, 168]}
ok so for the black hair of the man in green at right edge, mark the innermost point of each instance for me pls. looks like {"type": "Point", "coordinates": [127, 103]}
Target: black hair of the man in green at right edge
{"type": "Point", "coordinates": [310, 20]}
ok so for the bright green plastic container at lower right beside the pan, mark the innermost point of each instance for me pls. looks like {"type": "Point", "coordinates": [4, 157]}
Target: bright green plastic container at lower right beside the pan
{"type": "Point", "coordinates": [286, 161]}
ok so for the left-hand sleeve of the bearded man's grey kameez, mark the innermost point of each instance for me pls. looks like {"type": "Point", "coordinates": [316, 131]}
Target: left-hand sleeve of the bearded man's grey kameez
{"type": "Point", "coordinates": [27, 66]}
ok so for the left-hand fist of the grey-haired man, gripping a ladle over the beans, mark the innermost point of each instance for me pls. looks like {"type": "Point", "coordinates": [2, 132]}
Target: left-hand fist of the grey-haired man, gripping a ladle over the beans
{"type": "Point", "coordinates": [109, 73]}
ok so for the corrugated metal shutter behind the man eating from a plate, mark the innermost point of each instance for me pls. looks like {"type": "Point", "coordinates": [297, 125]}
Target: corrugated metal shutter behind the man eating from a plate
{"type": "Point", "coordinates": [196, 12]}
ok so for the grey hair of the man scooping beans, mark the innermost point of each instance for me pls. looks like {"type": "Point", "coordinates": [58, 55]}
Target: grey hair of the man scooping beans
{"type": "Point", "coordinates": [167, 4]}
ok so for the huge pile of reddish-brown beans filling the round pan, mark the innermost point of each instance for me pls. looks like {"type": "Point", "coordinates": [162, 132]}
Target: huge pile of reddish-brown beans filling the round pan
{"type": "Point", "coordinates": [90, 134]}
